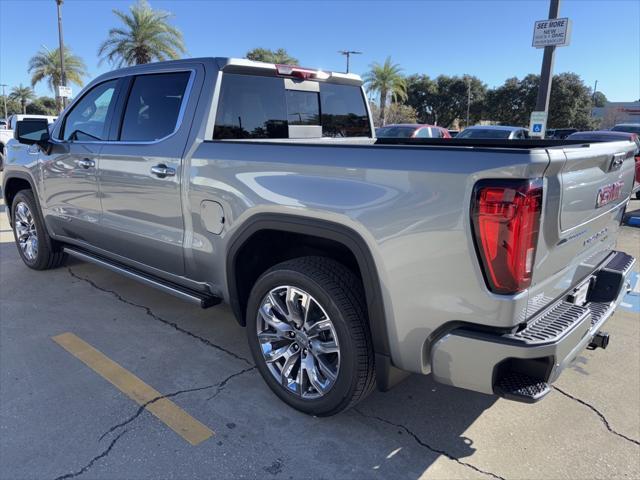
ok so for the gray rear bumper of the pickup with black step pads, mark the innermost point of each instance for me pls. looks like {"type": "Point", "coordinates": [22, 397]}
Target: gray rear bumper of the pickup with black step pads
{"type": "Point", "coordinates": [544, 347]}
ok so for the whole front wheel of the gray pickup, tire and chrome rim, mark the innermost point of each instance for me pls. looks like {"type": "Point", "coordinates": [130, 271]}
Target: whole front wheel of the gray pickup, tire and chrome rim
{"type": "Point", "coordinates": [36, 248]}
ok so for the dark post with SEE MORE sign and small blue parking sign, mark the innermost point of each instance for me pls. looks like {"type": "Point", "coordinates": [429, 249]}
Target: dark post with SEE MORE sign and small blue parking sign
{"type": "Point", "coordinates": [548, 34]}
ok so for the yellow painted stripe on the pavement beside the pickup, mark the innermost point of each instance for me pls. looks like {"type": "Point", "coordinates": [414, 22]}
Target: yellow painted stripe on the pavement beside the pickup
{"type": "Point", "coordinates": [164, 409]}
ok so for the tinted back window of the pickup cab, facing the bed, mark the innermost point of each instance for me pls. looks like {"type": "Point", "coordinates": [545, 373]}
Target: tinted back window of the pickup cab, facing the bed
{"type": "Point", "coordinates": [253, 106]}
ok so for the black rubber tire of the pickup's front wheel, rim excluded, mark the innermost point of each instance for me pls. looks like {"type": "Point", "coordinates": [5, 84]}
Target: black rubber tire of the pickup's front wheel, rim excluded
{"type": "Point", "coordinates": [49, 252]}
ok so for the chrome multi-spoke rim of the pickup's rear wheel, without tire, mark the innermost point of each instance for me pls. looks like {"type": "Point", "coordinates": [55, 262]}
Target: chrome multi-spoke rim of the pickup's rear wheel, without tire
{"type": "Point", "coordinates": [298, 342]}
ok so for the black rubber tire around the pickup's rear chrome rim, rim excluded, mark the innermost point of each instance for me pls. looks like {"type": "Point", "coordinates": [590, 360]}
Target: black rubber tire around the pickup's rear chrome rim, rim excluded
{"type": "Point", "coordinates": [340, 294]}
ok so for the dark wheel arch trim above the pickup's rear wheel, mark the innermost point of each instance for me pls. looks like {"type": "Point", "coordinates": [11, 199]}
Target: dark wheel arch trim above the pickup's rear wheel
{"type": "Point", "coordinates": [326, 231]}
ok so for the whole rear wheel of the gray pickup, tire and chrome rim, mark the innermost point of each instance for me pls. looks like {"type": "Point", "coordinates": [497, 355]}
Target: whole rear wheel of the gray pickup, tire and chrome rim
{"type": "Point", "coordinates": [308, 335]}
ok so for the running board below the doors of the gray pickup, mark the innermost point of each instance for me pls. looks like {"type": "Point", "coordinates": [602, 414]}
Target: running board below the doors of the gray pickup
{"type": "Point", "coordinates": [201, 299]}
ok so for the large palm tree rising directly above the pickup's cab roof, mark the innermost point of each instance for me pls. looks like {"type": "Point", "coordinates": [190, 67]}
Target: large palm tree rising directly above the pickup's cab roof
{"type": "Point", "coordinates": [146, 36]}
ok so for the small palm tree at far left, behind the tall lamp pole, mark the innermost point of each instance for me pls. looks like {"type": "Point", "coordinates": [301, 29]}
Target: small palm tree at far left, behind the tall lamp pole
{"type": "Point", "coordinates": [45, 65]}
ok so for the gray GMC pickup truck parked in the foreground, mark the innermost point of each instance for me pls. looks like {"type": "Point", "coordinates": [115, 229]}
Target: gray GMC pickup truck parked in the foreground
{"type": "Point", "coordinates": [350, 260]}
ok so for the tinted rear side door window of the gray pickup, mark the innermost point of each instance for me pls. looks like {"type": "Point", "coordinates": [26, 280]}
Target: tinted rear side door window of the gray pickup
{"type": "Point", "coordinates": [153, 106]}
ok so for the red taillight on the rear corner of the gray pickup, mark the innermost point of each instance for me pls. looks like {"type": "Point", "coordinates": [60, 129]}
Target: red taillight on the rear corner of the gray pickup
{"type": "Point", "coordinates": [506, 219]}
